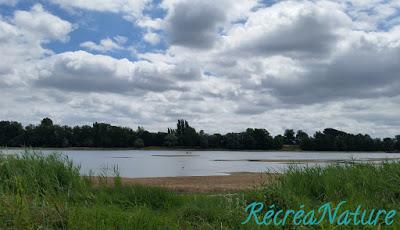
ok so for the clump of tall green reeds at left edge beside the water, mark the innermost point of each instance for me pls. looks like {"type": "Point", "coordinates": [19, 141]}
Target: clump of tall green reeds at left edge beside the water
{"type": "Point", "coordinates": [37, 175]}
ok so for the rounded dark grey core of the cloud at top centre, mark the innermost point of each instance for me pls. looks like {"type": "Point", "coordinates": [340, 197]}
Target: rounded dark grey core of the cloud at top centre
{"type": "Point", "coordinates": [194, 24]}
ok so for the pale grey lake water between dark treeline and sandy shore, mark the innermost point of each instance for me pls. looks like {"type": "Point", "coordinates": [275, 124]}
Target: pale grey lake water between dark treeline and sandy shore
{"type": "Point", "coordinates": [140, 163]}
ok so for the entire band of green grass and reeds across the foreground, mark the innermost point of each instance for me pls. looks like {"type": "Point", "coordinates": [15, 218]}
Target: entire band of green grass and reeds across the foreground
{"type": "Point", "coordinates": [47, 192]}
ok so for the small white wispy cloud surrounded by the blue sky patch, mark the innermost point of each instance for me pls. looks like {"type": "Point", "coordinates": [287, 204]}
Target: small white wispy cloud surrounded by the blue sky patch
{"type": "Point", "coordinates": [106, 45]}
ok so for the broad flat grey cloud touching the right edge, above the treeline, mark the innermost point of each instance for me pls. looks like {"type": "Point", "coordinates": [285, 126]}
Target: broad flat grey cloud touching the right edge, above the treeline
{"type": "Point", "coordinates": [364, 72]}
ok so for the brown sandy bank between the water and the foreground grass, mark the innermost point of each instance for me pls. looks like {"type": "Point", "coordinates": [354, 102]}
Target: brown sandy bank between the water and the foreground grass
{"type": "Point", "coordinates": [204, 184]}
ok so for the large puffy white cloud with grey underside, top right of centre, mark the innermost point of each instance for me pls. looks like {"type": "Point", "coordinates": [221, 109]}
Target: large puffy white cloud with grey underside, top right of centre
{"type": "Point", "coordinates": [291, 29]}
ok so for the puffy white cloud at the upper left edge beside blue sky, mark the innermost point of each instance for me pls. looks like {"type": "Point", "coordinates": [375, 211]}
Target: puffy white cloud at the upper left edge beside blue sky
{"type": "Point", "coordinates": [22, 37]}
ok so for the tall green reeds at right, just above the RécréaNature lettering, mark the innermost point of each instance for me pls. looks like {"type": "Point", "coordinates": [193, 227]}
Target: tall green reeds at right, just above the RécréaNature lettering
{"type": "Point", "coordinates": [373, 186]}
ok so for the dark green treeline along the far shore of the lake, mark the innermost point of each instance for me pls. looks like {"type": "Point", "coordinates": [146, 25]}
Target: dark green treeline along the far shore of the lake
{"type": "Point", "coordinates": [102, 135]}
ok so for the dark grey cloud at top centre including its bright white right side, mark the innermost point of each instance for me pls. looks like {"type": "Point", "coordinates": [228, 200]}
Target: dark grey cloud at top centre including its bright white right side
{"type": "Point", "coordinates": [196, 24]}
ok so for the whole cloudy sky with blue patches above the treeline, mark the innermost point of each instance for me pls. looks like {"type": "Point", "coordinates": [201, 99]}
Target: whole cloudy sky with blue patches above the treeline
{"type": "Point", "coordinates": [222, 65]}
